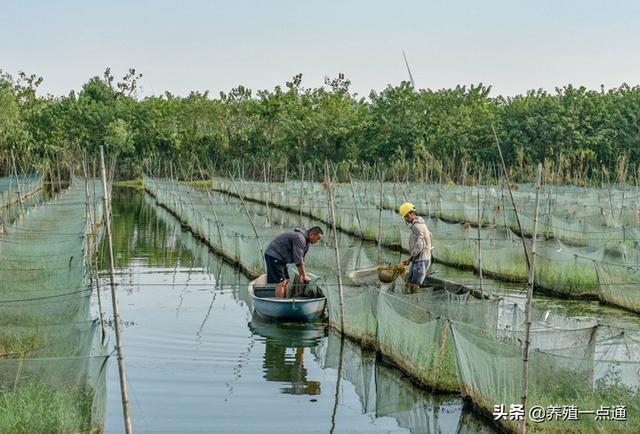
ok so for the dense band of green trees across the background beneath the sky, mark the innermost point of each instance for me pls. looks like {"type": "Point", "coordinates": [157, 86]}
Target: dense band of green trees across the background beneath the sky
{"type": "Point", "coordinates": [580, 135]}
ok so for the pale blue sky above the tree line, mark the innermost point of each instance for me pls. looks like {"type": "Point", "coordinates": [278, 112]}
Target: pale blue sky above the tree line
{"type": "Point", "coordinates": [214, 45]}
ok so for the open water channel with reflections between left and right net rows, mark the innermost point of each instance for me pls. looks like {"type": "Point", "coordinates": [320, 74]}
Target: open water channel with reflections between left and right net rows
{"type": "Point", "coordinates": [199, 360]}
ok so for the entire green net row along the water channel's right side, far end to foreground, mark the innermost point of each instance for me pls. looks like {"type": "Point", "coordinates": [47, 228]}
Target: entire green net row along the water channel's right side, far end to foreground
{"type": "Point", "coordinates": [445, 341]}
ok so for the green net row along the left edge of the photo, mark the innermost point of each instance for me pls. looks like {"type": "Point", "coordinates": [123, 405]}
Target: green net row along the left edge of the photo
{"type": "Point", "coordinates": [52, 369]}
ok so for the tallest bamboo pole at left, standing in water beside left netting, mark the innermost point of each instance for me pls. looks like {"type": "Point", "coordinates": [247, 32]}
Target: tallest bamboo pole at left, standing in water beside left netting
{"type": "Point", "coordinates": [114, 300]}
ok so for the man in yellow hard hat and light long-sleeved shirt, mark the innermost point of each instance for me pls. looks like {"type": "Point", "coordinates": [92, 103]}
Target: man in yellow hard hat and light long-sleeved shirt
{"type": "Point", "coordinates": [419, 246]}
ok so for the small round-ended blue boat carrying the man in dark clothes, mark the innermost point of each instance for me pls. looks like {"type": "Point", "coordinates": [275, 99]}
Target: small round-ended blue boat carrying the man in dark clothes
{"type": "Point", "coordinates": [283, 309]}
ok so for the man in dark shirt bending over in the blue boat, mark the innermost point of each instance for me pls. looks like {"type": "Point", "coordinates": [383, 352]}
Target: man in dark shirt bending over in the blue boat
{"type": "Point", "coordinates": [289, 248]}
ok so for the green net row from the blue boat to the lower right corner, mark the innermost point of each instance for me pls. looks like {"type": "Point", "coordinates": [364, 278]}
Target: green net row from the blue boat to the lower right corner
{"type": "Point", "coordinates": [452, 342]}
